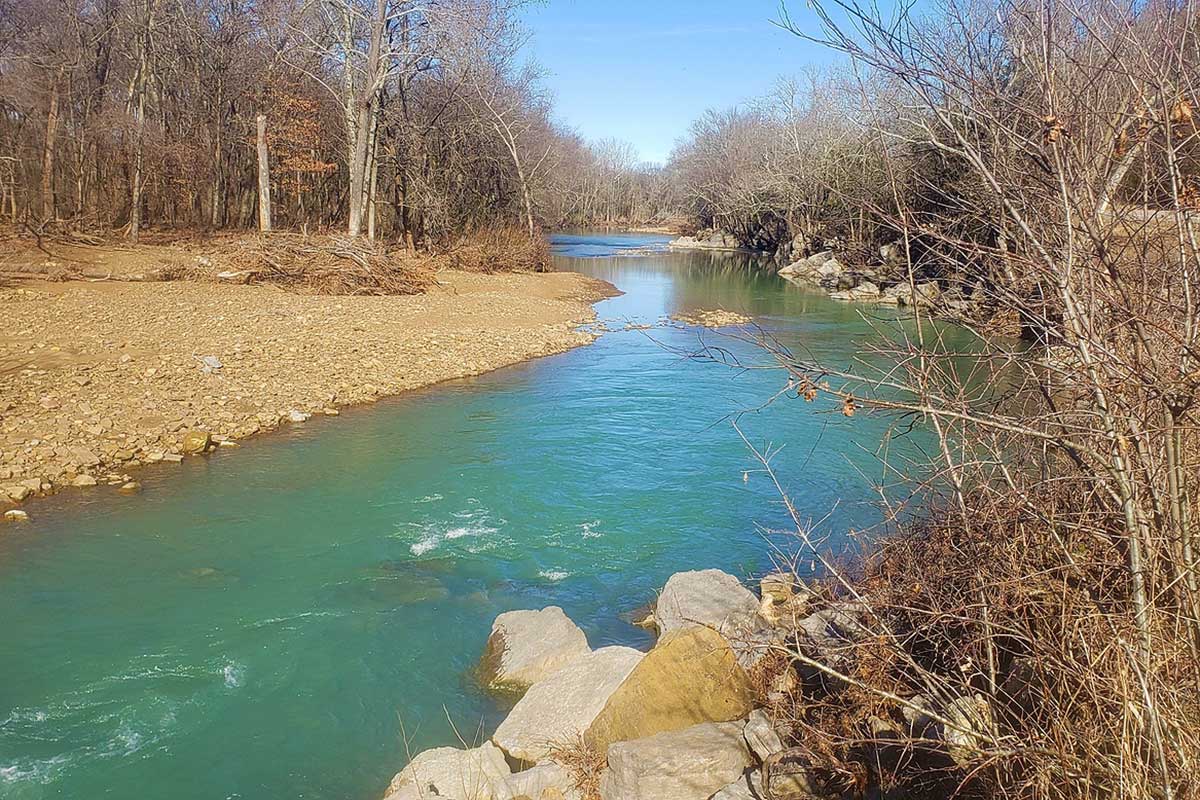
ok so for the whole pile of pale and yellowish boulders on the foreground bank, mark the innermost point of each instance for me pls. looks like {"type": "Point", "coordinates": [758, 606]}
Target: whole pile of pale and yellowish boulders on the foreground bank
{"type": "Point", "coordinates": [707, 714]}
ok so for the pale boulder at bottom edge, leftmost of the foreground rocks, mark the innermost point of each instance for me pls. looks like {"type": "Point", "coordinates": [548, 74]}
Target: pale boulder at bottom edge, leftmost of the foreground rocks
{"type": "Point", "coordinates": [479, 774]}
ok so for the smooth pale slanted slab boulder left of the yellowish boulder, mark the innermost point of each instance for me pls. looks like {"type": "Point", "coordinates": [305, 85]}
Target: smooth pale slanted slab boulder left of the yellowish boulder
{"type": "Point", "coordinates": [557, 711]}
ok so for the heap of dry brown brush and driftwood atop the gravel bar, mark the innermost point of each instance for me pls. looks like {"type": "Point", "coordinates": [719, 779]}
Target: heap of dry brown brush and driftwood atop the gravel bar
{"type": "Point", "coordinates": [325, 264]}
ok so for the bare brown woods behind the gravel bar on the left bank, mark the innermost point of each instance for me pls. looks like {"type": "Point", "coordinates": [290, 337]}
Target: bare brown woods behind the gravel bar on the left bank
{"type": "Point", "coordinates": [403, 119]}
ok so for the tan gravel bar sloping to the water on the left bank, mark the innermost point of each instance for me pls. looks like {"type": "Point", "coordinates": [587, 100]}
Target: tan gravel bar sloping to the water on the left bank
{"type": "Point", "coordinates": [98, 378]}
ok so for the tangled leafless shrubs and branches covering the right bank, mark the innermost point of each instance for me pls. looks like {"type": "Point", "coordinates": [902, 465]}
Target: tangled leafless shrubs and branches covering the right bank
{"type": "Point", "coordinates": [1041, 604]}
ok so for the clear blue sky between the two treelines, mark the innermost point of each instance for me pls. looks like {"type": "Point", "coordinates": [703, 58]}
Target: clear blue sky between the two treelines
{"type": "Point", "coordinates": [643, 71]}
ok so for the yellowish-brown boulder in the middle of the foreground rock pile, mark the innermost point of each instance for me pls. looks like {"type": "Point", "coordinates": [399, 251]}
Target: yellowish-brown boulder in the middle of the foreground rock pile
{"type": "Point", "coordinates": [691, 677]}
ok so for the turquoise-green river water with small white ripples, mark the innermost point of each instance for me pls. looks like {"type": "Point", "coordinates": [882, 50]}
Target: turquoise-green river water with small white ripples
{"type": "Point", "coordinates": [278, 622]}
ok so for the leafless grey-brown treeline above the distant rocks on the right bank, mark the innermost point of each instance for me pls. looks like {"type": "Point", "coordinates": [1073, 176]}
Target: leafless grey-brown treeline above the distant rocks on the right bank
{"type": "Point", "coordinates": [857, 158]}
